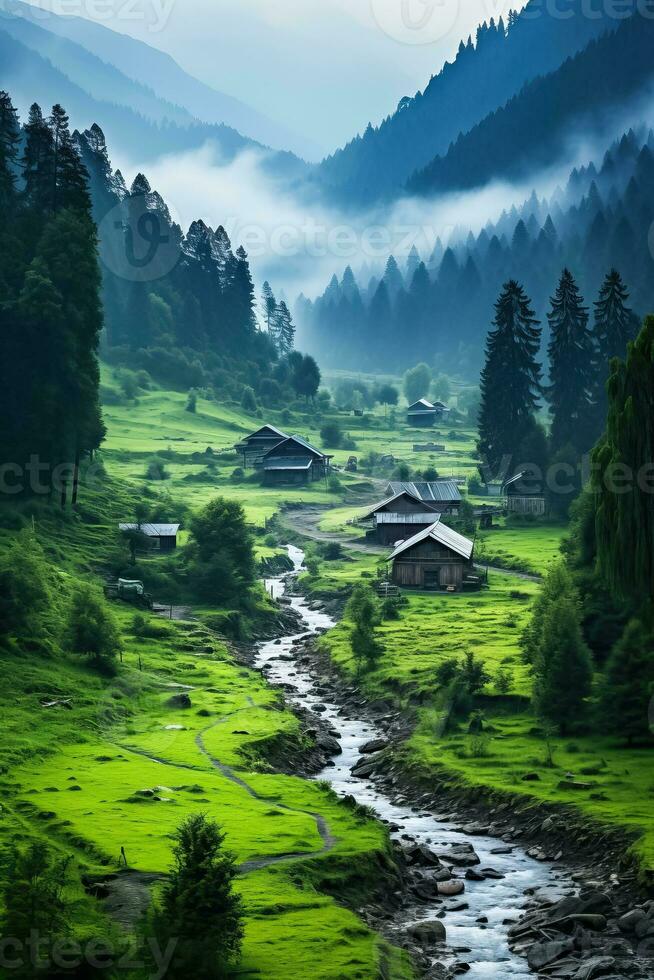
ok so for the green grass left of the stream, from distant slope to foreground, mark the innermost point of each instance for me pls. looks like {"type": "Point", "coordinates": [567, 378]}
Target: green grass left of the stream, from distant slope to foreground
{"type": "Point", "coordinates": [112, 763]}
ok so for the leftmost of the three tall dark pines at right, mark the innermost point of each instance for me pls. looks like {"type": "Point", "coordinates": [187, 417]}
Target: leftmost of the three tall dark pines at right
{"type": "Point", "coordinates": [510, 381]}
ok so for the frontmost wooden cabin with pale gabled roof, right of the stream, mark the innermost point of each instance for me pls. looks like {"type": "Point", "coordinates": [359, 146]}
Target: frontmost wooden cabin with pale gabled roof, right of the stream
{"type": "Point", "coordinates": [436, 559]}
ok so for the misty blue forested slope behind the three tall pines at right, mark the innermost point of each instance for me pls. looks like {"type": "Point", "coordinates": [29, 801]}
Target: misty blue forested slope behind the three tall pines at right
{"type": "Point", "coordinates": [601, 219]}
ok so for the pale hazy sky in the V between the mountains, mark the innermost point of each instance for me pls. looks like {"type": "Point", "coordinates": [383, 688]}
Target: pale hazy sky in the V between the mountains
{"type": "Point", "coordinates": [324, 67]}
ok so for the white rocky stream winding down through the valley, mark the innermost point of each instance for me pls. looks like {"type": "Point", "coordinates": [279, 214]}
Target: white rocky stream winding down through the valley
{"type": "Point", "coordinates": [484, 946]}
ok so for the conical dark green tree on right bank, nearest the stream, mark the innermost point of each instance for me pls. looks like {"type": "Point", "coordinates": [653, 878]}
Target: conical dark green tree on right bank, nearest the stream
{"type": "Point", "coordinates": [563, 666]}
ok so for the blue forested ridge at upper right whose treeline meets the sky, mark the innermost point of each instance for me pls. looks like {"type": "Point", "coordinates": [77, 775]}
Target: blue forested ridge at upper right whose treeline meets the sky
{"type": "Point", "coordinates": [486, 73]}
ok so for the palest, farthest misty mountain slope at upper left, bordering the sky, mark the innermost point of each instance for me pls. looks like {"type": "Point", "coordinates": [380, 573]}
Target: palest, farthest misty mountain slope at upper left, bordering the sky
{"type": "Point", "coordinates": [179, 96]}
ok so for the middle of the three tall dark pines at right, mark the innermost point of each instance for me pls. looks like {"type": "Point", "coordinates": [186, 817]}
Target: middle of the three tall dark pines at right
{"type": "Point", "coordinates": [571, 354]}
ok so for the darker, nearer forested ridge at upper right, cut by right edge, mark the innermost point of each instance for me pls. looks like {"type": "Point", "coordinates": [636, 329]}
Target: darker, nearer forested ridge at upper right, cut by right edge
{"type": "Point", "coordinates": [572, 103]}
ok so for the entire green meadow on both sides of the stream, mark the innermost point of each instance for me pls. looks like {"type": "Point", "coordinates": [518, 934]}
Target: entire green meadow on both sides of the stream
{"type": "Point", "coordinates": [122, 767]}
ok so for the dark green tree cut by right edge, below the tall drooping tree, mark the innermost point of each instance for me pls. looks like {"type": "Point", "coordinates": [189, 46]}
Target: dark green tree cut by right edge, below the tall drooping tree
{"type": "Point", "coordinates": [629, 685]}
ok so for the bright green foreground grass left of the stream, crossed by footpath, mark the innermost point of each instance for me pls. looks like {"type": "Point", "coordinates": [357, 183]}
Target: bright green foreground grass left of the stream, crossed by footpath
{"type": "Point", "coordinates": [123, 768]}
